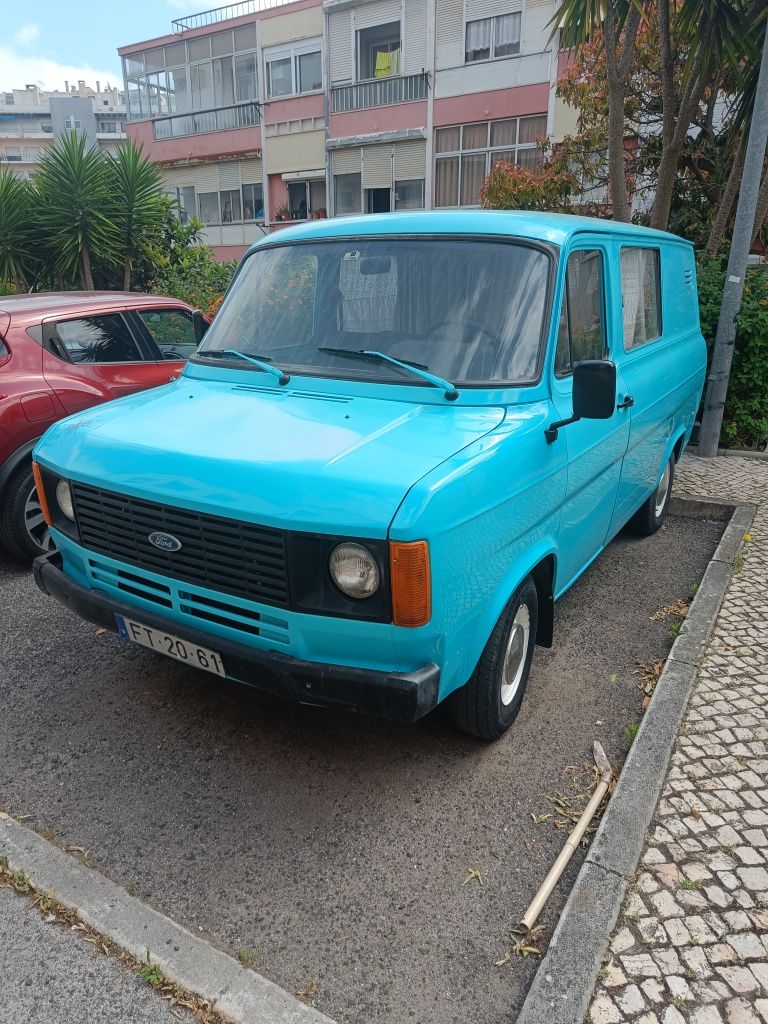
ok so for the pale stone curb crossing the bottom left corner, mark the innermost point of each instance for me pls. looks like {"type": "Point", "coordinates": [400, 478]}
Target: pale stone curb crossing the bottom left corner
{"type": "Point", "coordinates": [236, 992]}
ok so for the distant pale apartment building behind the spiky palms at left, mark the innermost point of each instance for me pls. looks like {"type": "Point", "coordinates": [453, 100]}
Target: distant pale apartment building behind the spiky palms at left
{"type": "Point", "coordinates": [31, 120]}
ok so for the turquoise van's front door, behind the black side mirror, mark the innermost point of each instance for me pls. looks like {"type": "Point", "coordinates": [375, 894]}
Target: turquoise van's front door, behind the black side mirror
{"type": "Point", "coordinates": [595, 448]}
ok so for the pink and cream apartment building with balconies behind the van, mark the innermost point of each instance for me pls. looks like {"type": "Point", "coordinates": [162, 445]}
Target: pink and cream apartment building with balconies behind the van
{"type": "Point", "coordinates": [264, 112]}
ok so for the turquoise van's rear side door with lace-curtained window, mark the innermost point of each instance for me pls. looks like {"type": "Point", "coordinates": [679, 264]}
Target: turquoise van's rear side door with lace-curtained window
{"type": "Point", "coordinates": [653, 371]}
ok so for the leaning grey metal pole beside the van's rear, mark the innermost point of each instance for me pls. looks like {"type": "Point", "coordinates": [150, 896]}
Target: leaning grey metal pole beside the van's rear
{"type": "Point", "coordinates": [717, 385]}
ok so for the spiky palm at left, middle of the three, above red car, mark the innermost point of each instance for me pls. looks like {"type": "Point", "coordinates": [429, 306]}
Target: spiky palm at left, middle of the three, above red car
{"type": "Point", "coordinates": [74, 199]}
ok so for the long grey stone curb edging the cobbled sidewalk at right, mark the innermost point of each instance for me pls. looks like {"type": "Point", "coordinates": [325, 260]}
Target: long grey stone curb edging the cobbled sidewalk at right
{"type": "Point", "coordinates": [564, 986]}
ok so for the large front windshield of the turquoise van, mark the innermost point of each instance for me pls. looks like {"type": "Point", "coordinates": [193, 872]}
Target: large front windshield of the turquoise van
{"type": "Point", "coordinates": [473, 313]}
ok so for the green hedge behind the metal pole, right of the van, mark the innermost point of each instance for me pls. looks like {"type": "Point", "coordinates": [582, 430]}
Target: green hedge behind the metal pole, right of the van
{"type": "Point", "coordinates": [746, 417]}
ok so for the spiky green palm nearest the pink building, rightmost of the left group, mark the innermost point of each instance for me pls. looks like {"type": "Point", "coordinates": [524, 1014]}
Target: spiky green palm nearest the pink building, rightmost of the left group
{"type": "Point", "coordinates": [136, 204]}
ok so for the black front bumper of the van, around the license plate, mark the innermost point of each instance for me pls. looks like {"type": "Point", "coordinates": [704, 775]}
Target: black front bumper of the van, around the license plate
{"type": "Point", "coordinates": [399, 697]}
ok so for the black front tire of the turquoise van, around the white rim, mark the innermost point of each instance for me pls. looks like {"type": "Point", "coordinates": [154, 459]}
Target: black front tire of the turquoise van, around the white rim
{"type": "Point", "coordinates": [479, 708]}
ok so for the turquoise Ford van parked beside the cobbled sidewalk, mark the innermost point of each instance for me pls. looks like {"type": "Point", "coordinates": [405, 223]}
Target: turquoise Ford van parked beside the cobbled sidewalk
{"type": "Point", "coordinates": [402, 440]}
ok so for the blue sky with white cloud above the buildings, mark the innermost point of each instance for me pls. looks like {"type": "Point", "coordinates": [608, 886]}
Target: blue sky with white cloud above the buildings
{"type": "Point", "coordinates": [51, 41]}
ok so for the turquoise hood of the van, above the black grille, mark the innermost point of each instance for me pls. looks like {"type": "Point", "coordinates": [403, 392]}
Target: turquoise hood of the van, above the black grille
{"type": "Point", "coordinates": [284, 458]}
